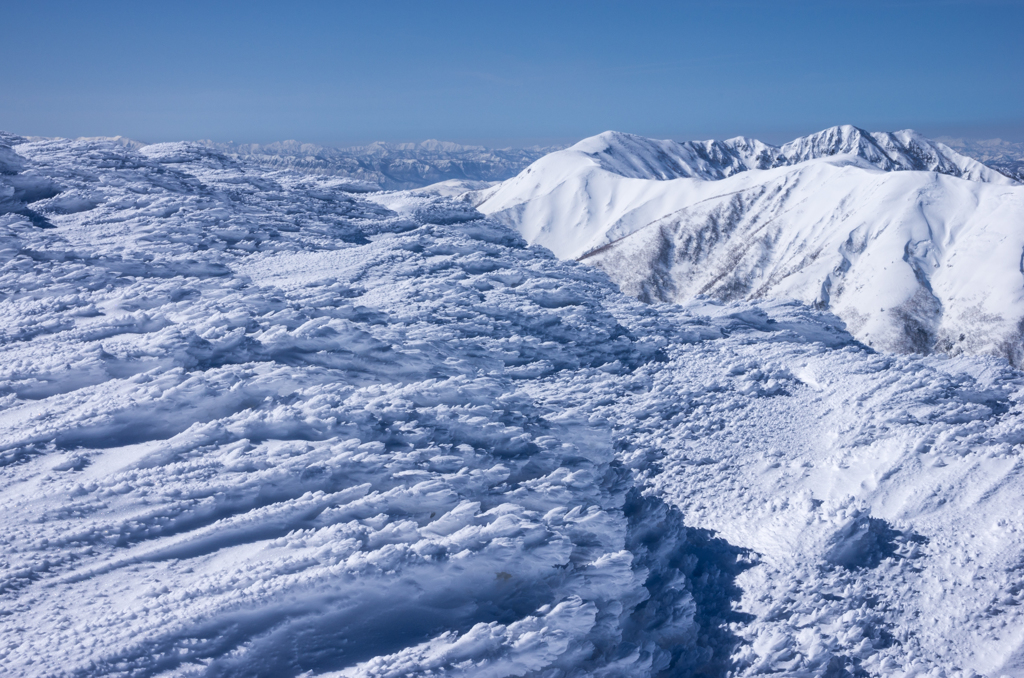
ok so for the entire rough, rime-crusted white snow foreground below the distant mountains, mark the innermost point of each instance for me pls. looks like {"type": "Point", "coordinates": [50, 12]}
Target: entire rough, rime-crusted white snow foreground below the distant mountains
{"type": "Point", "coordinates": [257, 426]}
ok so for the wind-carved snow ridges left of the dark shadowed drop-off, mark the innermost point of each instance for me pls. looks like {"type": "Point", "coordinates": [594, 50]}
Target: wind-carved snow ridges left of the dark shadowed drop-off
{"type": "Point", "coordinates": [258, 427]}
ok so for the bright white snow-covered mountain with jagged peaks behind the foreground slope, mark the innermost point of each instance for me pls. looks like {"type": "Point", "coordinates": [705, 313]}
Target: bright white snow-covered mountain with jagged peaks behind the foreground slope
{"type": "Point", "coordinates": [915, 246]}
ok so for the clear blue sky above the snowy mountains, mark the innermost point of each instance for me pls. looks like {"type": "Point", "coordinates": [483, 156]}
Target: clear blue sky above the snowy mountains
{"type": "Point", "coordinates": [509, 73]}
